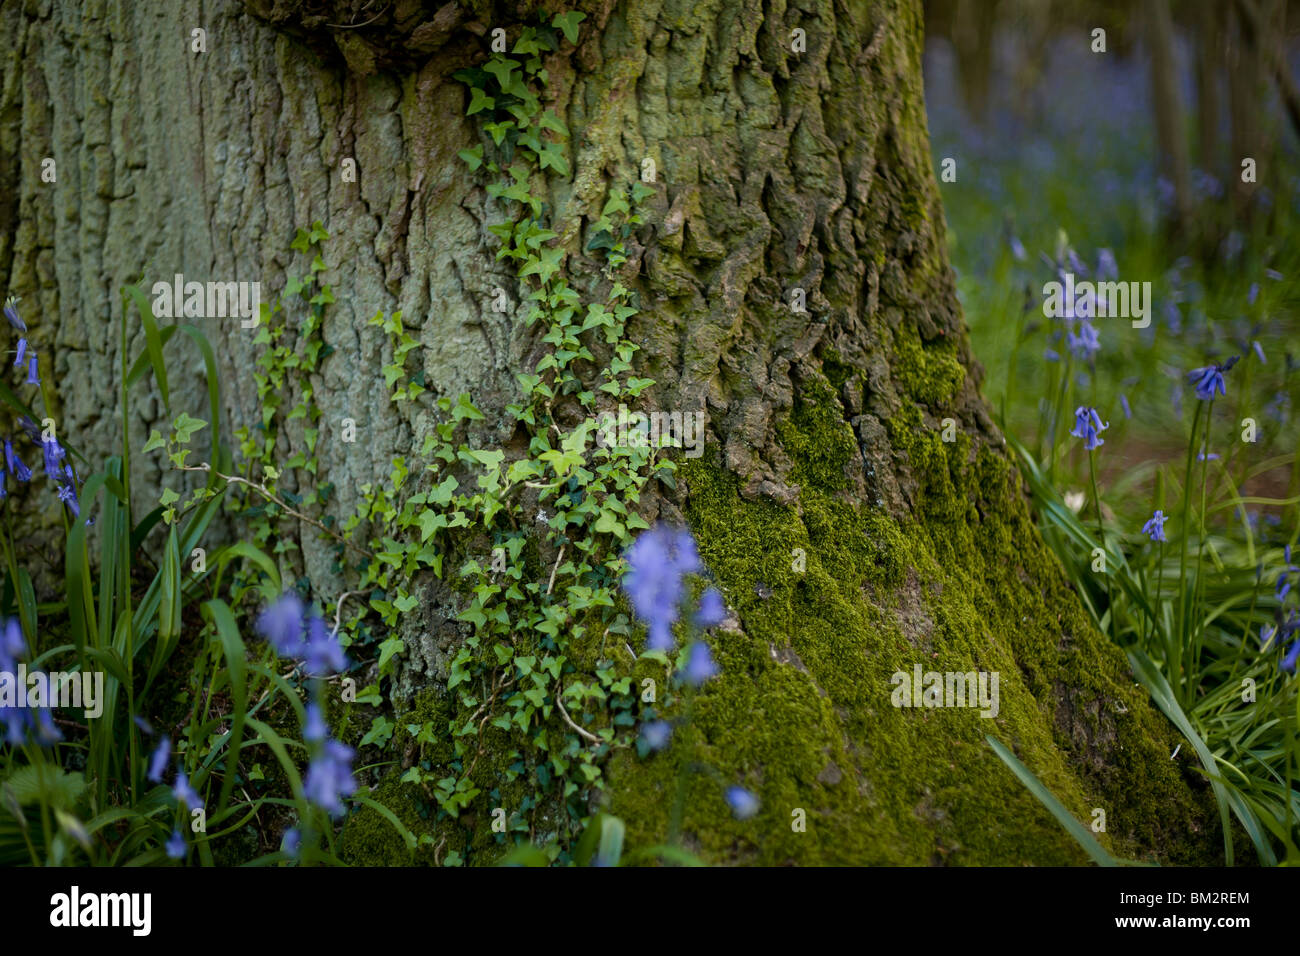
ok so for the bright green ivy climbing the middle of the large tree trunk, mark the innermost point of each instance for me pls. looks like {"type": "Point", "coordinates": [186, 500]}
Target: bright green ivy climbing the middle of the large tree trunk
{"type": "Point", "coordinates": [532, 544]}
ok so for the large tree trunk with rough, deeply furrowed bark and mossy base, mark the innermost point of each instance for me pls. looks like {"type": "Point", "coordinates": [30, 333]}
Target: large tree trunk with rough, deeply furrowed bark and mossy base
{"type": "Point", "coordinates": [850, 539]}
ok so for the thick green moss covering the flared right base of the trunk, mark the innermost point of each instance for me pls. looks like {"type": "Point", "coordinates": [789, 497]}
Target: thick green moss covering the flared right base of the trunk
{"type": "Point", "coordinates": [801, 712]}
